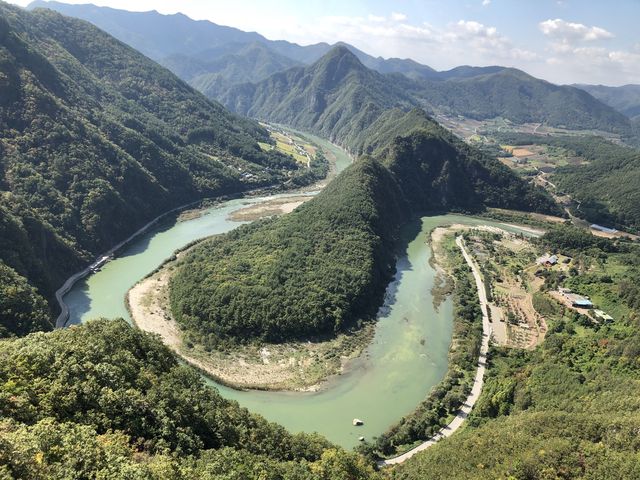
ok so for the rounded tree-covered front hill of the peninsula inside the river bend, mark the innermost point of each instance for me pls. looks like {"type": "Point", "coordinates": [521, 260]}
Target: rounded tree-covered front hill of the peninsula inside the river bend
{"type": "Point", "coordinates": [312, 272]}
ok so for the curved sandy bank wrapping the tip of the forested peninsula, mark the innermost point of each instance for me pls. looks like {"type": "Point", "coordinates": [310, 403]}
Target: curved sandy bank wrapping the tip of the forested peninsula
{"type": "Point", "coordinates": [298, 366]}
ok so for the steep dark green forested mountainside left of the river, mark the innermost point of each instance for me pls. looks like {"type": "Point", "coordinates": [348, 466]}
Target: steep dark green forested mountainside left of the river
{"type": "Point", "coordinates": [95, 141]}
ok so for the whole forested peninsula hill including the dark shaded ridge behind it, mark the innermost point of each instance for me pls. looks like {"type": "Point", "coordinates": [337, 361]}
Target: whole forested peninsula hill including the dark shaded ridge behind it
{"type": "Point", "coordinates": [322, 268]}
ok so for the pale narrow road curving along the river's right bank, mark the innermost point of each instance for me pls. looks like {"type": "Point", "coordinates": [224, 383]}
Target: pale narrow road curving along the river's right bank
{"type": "Point", "coordinates": [478, 382]}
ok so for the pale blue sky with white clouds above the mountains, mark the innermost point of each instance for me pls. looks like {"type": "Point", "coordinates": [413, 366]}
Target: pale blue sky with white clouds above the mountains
{"type": "Point", "coordinates": [563, 41]}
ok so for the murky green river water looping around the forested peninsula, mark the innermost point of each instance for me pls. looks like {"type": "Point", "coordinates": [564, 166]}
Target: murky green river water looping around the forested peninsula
{"type": "Point", "coordinates": [407, 357]}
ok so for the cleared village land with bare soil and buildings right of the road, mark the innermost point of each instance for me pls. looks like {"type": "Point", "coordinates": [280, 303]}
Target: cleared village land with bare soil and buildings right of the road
{"type": "Point", "coordinates": [523, 285]}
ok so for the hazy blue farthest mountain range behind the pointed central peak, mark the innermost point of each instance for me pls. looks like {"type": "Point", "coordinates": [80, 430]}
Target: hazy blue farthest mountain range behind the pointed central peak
{"type": "Point", "coordinates": [216, 59]}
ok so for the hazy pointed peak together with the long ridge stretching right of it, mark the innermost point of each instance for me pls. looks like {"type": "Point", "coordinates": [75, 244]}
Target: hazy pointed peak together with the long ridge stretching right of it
{"type": "Point", "coordinates": [339, 97]}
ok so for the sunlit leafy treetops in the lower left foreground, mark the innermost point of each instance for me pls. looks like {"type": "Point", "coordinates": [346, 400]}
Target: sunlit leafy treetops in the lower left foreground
{"type": "Point", "coordinates": [104, 400]}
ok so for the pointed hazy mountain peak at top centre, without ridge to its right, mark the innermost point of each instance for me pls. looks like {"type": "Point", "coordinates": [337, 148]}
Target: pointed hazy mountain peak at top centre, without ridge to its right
{"type": "Point", "coordinates": [335, 97]}
